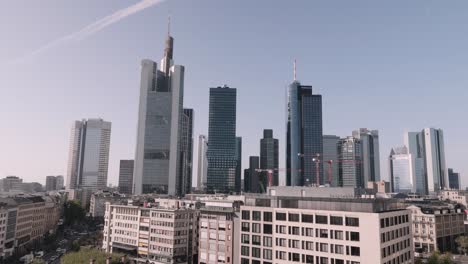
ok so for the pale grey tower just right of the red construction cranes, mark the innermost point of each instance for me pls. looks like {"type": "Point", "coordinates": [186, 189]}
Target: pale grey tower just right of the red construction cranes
{"type": "Point", "coordinates": [370, 154]}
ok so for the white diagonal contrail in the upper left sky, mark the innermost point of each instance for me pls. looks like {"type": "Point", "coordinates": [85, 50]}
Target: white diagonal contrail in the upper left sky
{"type": "Point", "coordinates": [92, 28]}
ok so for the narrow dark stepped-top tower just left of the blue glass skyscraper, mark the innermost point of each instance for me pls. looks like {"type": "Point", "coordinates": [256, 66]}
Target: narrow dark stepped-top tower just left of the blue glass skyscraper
{"type": "Point", "coordinates": [269, 159]}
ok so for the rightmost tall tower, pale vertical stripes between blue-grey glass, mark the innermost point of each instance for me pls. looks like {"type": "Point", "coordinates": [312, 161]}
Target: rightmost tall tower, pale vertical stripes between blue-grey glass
{"type": "Point", "coordinates": [427, 147]}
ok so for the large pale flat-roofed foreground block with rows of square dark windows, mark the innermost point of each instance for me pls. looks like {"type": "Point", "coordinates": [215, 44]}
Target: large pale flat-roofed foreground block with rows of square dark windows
{"type": "Point", "coordinates": [324, 231]}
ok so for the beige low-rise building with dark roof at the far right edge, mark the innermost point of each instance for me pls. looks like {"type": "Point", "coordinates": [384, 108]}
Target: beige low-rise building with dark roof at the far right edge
{"type": "Point", "coordinates": [435, 227]}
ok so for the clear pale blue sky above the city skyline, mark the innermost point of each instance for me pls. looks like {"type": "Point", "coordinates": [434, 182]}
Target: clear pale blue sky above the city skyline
{"type": "Point", "coordinates": [394, 66]}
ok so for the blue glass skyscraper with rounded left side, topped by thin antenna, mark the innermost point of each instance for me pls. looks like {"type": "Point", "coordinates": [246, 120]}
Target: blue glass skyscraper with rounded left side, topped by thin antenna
{"type": "Point", "coordinates": [303, 135]}
